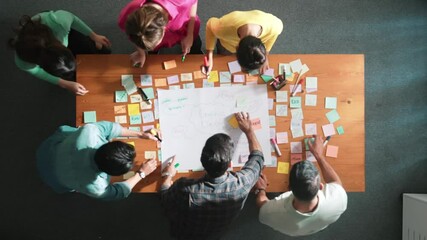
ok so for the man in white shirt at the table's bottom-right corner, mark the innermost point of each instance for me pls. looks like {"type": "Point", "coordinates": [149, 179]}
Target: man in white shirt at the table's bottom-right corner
{"type": "Point", "coordinates": [310, 206]}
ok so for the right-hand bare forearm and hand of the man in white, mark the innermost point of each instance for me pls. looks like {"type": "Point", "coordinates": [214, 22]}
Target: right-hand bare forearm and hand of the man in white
{"type": "Point", "coordinates": [328, 173]}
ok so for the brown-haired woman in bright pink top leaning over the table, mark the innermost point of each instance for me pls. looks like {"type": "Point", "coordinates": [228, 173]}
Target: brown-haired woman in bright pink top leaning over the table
{"type": "Point", "coordinates": [156, 24]}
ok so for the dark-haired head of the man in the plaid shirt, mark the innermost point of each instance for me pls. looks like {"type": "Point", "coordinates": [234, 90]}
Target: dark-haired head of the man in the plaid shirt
{"type": "Point", "coordinates": [217, 154]}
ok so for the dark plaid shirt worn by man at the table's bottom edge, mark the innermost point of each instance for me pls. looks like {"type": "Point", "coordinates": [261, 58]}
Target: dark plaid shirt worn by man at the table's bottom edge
{"type": "Point", "coordinates": [205, 207]}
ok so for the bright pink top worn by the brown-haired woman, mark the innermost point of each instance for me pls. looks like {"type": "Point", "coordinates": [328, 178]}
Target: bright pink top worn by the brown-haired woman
{"type": "Point", "coordinates": [179, 15]}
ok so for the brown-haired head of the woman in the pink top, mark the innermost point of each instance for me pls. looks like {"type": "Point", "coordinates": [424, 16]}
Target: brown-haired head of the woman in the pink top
{"type": "Point", "coordinates": [145, 26]}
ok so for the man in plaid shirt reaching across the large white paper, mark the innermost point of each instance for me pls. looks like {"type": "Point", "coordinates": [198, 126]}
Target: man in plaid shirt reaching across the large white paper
{"type": "Point", "coordinates": [204, 208]}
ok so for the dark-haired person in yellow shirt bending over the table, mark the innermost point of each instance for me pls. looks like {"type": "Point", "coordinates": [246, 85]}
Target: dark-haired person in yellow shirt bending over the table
{"type": "Point", "coordinates": [249, 34]}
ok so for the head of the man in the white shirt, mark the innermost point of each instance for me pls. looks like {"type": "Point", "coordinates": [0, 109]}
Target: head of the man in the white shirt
{"type": "Point", "coordinates": [304, 181]}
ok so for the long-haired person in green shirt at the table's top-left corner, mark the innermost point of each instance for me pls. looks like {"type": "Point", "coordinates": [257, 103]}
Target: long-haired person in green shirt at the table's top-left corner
{"type": "Point", "coordinates": [45, 46]}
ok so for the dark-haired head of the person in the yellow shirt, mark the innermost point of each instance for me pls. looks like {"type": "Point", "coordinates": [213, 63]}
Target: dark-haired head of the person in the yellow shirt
{"type": "Point", "coordinates": [251, 53]}
